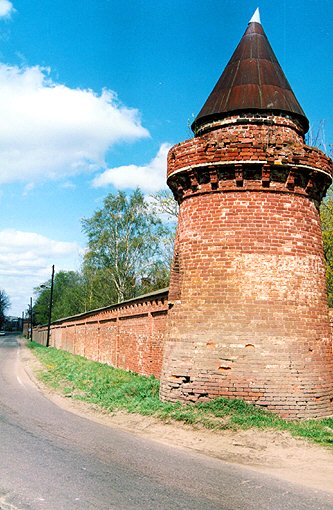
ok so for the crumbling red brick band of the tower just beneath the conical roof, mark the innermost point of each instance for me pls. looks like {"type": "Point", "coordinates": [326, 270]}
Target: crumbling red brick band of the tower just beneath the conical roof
{"type": "Point", "coordinates": [259, 137]}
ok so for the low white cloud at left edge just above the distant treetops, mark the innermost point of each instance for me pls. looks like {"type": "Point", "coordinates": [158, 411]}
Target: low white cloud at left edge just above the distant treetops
{"type": "Point", "coordinates": [26, 259]}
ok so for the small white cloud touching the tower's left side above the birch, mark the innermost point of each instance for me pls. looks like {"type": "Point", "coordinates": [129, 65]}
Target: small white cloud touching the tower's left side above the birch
{"type": "Point", "coordinates": [150, 177]}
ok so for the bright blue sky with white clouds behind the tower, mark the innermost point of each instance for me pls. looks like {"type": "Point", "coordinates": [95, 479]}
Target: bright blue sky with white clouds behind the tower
{"type": "Point", "coordinates": [94, 92]}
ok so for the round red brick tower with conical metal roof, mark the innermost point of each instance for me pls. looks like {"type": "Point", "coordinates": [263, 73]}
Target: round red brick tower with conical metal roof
{"type": "Point", "coordinates": [248, 308]}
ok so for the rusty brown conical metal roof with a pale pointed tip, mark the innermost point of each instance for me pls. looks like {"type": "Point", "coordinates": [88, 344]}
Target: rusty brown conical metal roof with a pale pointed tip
{"type": "Point", "coordinates": [253, 80]}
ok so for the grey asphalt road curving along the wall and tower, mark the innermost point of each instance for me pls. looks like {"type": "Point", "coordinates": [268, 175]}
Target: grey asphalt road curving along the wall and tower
{"type": "Point", "coordinates": [54, 460]}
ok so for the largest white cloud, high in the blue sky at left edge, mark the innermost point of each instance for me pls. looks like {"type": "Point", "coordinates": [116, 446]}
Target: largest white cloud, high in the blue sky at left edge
{"type": "Point", "coordinates": [50, 131]}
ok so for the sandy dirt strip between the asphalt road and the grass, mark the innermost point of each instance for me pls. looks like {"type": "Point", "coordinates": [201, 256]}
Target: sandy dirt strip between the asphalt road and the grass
{"type": "Point", "coordinates": [271, 452]}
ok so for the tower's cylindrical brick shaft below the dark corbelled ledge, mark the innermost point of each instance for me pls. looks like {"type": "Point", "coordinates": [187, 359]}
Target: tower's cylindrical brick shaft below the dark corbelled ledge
{"type": "Point", "coordinates": [255, 324]}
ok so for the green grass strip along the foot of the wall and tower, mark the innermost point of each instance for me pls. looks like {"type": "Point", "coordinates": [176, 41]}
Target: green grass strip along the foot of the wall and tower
{"type": "Point", "coordinates": [114, 389]}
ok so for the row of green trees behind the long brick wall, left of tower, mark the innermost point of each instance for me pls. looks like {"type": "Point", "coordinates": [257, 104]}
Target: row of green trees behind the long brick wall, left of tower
{"type": "Point", "coordinates": [129, 253]}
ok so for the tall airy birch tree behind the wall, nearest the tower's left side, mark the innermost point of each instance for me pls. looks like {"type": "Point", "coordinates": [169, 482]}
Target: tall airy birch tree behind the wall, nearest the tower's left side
{"type": "Point", "coordinates": [127, 248]}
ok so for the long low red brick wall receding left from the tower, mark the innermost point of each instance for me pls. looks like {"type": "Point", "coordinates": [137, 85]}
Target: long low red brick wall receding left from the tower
{"type": "Point", "coordinates": [129, 335]}
